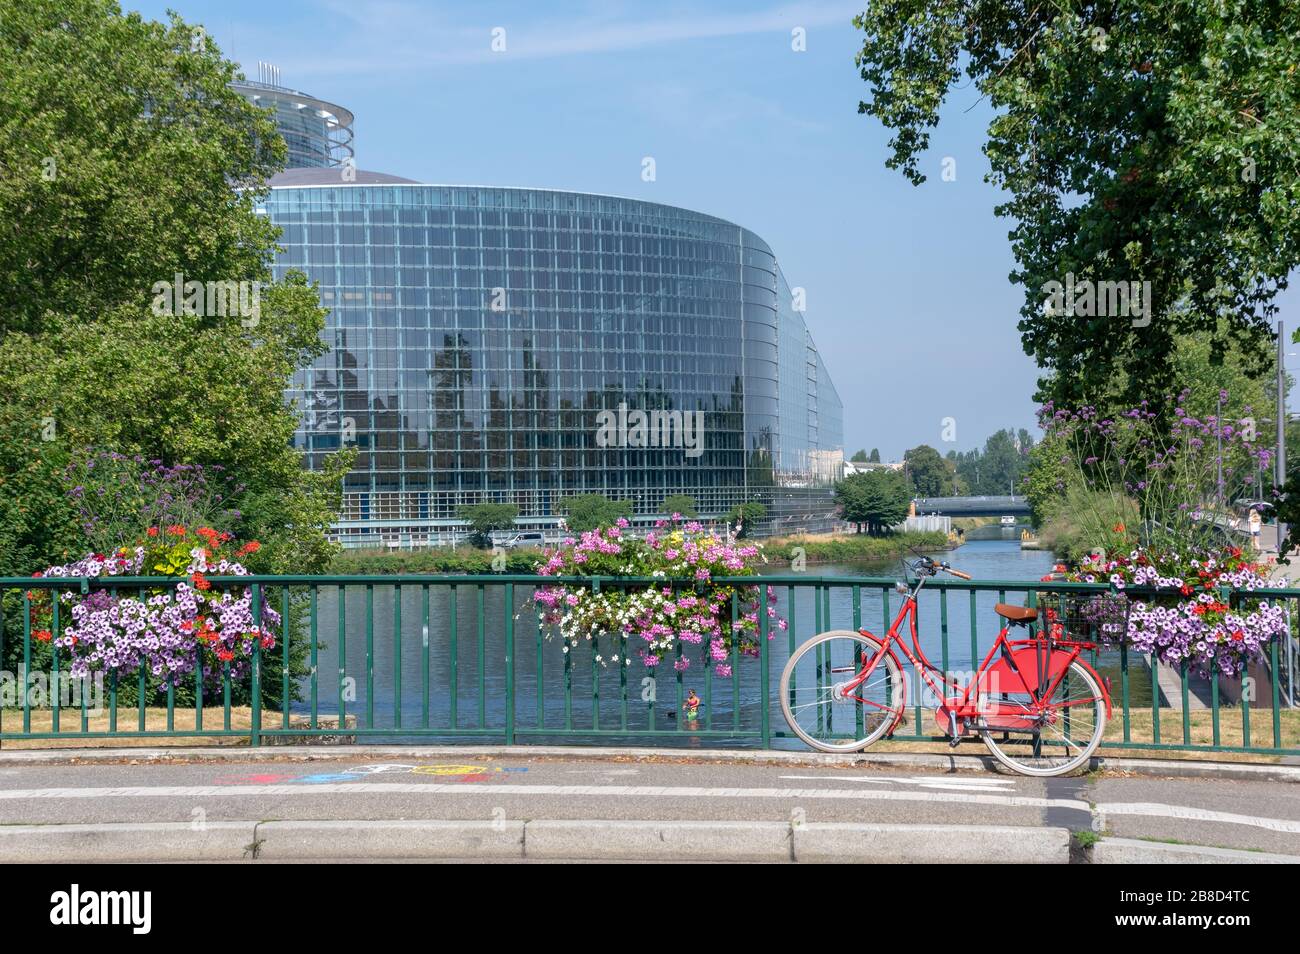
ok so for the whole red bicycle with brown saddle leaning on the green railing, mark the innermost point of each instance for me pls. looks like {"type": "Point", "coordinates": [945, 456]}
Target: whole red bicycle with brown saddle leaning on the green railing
{"type": "Point", "coordinates": [1038, 705]}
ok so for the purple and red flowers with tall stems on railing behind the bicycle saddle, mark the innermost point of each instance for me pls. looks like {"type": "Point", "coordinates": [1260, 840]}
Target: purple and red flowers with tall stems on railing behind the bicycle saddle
{"type": "Point", "coordinates": [1173, 475]}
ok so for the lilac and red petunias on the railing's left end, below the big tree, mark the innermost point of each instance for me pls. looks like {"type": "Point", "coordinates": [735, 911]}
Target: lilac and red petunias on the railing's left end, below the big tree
{"type": "Point", "coordinates": [170, 631]}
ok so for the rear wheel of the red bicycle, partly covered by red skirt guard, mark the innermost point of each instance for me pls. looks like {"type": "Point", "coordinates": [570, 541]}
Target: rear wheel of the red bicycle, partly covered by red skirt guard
{"type": "Point", "coordinates": [1054, 738]}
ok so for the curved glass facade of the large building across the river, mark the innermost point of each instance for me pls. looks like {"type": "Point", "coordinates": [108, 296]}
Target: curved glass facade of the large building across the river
{"type": "Point", "coordinates": [496, 345]}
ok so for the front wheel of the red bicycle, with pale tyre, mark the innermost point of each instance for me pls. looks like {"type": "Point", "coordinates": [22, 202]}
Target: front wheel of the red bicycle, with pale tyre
{"type": "Point", "coordinates": [822, 705]}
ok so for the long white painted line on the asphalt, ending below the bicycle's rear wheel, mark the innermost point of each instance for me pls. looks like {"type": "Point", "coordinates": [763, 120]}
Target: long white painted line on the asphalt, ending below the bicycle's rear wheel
{"type": "Point", "coordinates": [678, 792]}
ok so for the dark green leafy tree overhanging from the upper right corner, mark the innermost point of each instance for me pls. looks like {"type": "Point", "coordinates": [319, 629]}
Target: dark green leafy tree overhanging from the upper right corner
{"type": "Point", "coordinates": [1139, 141]}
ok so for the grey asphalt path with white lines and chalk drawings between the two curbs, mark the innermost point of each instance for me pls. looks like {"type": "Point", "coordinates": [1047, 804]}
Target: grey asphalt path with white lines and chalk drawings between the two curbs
{"type": "Point", "coordinates": [1260, 816]}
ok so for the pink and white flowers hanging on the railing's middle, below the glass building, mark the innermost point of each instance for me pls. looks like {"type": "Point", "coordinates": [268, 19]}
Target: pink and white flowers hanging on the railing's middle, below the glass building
{"type": "Point", "coordinates": [664, 618]}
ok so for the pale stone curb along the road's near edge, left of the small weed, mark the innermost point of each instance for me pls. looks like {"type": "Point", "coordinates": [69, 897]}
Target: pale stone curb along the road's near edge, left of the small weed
{"type": "Point", "coordinates": [551, 840]}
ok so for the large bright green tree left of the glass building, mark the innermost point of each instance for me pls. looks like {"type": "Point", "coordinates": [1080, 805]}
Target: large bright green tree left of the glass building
{"type": "Point", "coordinates": [125, 161]}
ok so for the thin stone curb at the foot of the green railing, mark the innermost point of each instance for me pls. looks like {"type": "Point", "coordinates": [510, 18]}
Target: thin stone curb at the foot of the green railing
{"type": "Point", "coordinates": [1169, 769]}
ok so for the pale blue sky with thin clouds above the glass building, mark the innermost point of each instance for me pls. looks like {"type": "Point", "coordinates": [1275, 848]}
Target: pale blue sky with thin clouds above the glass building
{"type": "Point", "coordinates": [908, 292]}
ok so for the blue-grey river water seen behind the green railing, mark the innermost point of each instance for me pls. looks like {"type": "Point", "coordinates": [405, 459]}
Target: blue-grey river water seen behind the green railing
{"type": "Point", "coordinates": [432, 680]}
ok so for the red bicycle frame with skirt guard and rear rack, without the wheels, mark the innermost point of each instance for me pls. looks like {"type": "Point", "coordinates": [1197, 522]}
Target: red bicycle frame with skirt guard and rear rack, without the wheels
{"type": "Point", "coordinates": [1051, 658]}
